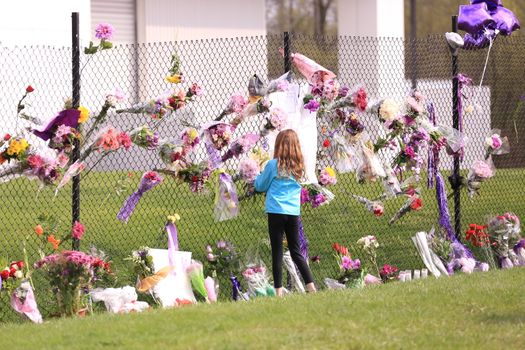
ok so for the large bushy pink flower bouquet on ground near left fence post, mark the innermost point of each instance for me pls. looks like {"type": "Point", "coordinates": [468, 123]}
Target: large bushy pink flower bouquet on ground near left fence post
{"type": "Point", "coordinates": [72, 274]}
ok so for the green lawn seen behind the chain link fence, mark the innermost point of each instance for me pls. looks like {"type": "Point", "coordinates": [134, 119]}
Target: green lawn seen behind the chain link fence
{"type": "Point", "coordinates": [343, 221]}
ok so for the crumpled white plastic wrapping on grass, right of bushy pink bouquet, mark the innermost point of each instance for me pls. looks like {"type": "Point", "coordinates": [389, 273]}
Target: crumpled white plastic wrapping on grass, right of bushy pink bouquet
{"type": "Point", "coordinates": [119, 300]}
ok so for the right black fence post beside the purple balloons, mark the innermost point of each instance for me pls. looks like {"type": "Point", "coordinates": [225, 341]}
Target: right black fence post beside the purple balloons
{"type": "Point", "coordinates": [455, 179]}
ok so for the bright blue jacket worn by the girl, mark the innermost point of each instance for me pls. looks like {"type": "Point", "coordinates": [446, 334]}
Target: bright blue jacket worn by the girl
{"type": "Point", "coordinates": [283, 194]}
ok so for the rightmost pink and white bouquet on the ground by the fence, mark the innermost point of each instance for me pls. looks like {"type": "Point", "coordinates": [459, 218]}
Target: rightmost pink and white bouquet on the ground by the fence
{"type": "Point", "coordinates": [504, 231]}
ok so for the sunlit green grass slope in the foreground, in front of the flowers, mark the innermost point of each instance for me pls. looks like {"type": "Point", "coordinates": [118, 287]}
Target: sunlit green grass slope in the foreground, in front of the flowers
{"type": "Point", "coordinates": [479, 311]}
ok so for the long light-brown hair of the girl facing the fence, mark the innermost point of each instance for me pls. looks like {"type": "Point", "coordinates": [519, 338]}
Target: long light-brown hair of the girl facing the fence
{"type": "Point", "coordinates": [287, 151]}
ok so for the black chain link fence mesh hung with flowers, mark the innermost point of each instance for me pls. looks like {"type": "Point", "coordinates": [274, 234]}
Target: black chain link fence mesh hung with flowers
{"type": "Point", "coordinates": [386, 67]}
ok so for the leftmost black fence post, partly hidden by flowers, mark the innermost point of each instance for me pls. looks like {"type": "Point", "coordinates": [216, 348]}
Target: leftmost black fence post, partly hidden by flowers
{"type": "Point", "coordinates": [75, 56]}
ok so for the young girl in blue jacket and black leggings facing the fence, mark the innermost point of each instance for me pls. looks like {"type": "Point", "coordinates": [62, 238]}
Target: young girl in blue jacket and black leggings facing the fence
{"type": "Point", "coordinates": [279, 180]}
